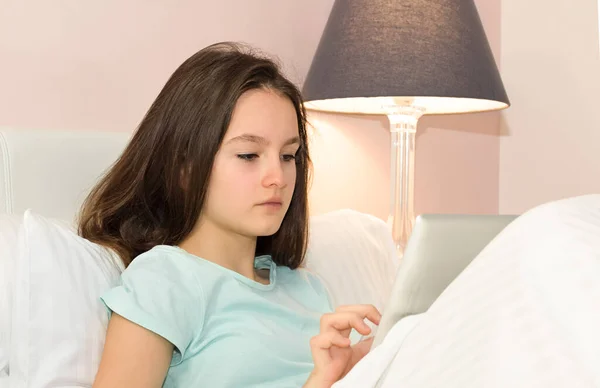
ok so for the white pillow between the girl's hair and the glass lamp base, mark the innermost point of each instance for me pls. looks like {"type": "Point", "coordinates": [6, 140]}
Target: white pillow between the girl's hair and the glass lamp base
{"type": "Point", "coordinates": [354, 255]}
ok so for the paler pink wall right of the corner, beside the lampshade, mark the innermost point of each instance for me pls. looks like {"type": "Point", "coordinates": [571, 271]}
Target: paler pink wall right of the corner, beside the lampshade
{"type": "Point", "coordinates": [550, 147]}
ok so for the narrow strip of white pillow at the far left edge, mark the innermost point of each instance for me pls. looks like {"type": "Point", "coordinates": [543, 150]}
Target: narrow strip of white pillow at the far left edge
{"type": "Point", "coordinates": [10, 225]}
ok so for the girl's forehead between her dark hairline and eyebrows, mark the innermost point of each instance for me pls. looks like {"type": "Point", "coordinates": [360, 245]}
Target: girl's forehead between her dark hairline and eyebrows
{"type": "Point", "coordinates": [263, 112]}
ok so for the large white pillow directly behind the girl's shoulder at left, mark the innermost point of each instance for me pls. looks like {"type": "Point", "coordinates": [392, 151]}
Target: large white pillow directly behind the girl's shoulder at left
{"type": "Point", "coordinates": [58, 322]}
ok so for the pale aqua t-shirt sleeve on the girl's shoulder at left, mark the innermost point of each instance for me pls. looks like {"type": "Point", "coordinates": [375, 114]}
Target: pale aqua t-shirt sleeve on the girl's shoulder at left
{"type": "Point", "coordinates": [160, 294]}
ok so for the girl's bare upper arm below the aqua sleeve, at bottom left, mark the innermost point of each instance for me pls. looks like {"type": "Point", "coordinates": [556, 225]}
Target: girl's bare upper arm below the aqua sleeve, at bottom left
{"type": "Point", "coordinates": [133, 357]}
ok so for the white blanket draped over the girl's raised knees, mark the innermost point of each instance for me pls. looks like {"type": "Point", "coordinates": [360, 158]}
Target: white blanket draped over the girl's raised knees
{"type": "Point", "coordinates": [525, 313]}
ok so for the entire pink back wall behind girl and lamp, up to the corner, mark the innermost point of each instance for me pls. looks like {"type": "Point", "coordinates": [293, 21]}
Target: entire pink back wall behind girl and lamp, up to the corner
{"type": "Point", "coordinates": [98, 65]}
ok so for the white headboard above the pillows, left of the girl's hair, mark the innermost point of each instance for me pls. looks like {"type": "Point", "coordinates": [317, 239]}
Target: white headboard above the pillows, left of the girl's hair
{"type": "Point", "coordinates": [52, 171]}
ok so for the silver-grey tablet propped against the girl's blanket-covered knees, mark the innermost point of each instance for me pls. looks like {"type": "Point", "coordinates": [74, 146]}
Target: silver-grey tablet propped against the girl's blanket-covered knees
{"type": "Point", "coordinates": [439, 249]}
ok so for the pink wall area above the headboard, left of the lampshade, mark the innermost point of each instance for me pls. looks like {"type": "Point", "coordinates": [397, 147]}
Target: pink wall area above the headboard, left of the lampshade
{"type": "Point", "coordinates": [99, 64]}
